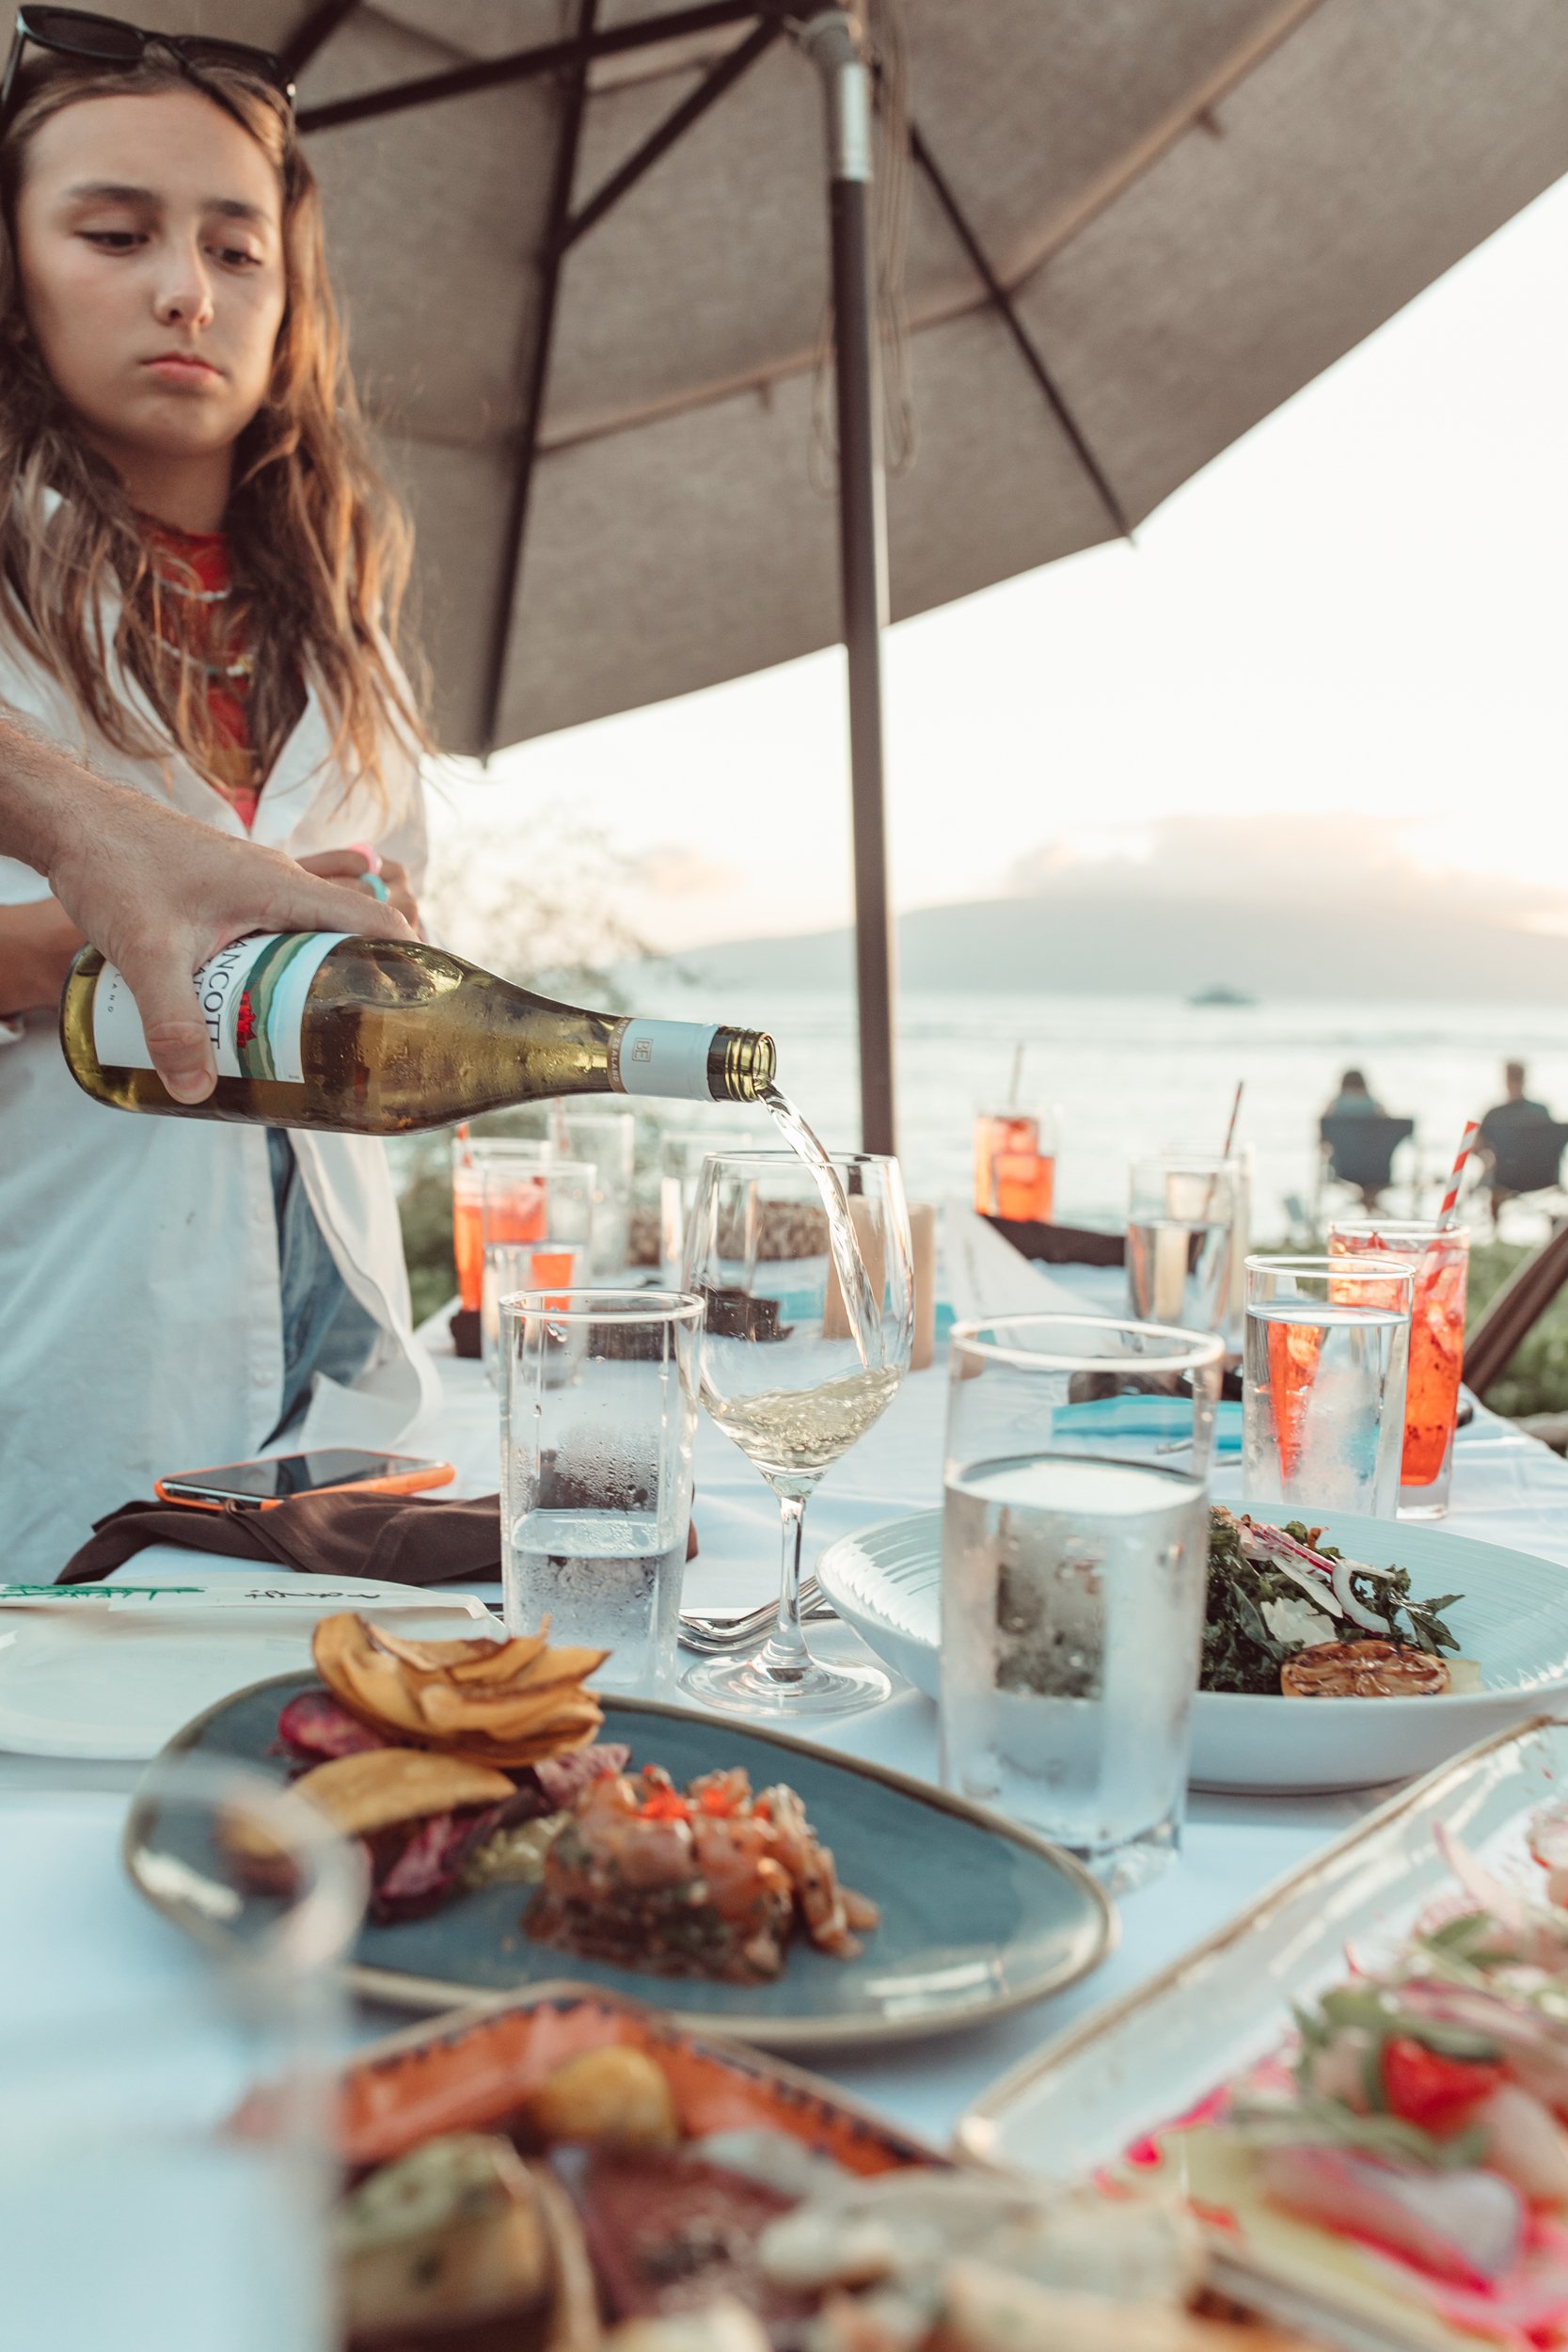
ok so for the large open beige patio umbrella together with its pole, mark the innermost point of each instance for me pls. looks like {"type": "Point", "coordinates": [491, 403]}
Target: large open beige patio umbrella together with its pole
{"type": "Point", "coordinates": [587, 253]}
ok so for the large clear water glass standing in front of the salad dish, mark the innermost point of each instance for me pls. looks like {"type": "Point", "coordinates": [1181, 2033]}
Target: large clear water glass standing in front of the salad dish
{"type": "Point", "coordinates": [1076, 1551]}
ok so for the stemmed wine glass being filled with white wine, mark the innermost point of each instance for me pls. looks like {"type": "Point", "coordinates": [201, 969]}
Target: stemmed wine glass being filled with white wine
{"type": "Point", "coordinates": [796, 1365]}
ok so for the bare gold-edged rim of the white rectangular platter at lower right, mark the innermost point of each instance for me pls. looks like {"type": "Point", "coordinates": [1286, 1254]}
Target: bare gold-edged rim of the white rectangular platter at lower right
{"type": "Point", "coordinates": [1134, 2066]}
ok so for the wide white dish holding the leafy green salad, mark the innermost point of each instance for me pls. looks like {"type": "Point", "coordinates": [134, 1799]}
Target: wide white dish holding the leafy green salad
{"type": "Point", "coordinates": [1513, 1622]}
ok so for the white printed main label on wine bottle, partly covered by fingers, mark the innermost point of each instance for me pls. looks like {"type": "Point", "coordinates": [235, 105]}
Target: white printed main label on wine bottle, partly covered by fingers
{"type": "Point", "coordinates": [253, 1001]}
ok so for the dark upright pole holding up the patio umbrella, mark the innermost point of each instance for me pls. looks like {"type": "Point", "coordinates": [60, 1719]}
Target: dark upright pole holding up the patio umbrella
{"type": "Point", "coordinates": [833, 48]}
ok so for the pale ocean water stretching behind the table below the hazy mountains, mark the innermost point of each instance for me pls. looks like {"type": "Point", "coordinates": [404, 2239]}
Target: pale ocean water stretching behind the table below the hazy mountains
{"type": "Point", "coordinates": [1139, 1074]}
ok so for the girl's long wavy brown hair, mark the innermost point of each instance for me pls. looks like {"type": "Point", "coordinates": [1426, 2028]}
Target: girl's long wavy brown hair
{"type": "Point", "coordinates": [321, 549]}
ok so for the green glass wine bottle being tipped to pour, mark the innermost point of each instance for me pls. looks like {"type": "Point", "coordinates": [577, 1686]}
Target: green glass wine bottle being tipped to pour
{"type": "Point", "coordinates": [380, 1038]}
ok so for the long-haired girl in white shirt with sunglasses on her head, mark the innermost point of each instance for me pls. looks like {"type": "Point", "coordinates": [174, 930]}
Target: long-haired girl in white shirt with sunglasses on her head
{"type": "Point", "coordinates": [199, 587]}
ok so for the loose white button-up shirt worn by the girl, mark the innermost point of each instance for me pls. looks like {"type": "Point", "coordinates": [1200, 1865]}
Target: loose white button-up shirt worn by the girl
{"type": "Point", "coordinates": [140, 1299]}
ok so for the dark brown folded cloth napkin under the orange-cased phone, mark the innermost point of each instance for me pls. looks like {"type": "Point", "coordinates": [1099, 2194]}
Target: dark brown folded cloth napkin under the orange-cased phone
{"type": "Point", "coordinates": [391, 1539]}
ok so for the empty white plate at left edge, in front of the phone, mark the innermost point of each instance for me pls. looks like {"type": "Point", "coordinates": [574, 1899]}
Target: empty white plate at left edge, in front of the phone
{"type": "Point", "coordinates": [114, 1671]}
